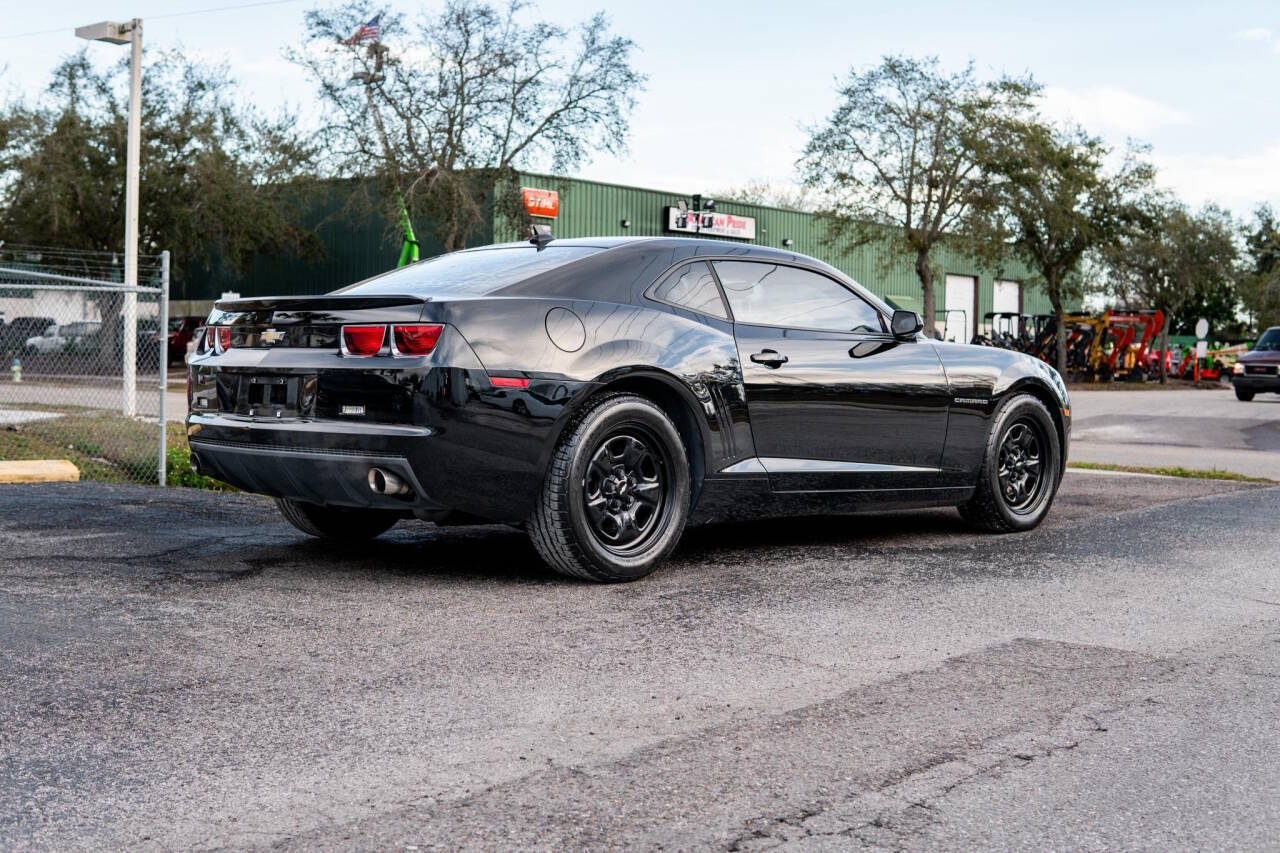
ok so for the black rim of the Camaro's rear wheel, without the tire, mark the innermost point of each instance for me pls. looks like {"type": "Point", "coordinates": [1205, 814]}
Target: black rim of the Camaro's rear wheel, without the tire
{"type": "Point", "coordinates": [625, 490]}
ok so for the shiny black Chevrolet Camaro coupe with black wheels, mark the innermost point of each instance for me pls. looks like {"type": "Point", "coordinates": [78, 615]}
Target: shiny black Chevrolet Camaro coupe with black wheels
{"type": "Point", "coordinates": [605, 393]}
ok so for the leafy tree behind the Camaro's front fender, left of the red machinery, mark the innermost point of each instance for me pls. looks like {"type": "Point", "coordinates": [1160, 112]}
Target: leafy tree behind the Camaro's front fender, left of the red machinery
{"type": "Point", "coordinates": [1058, 204]}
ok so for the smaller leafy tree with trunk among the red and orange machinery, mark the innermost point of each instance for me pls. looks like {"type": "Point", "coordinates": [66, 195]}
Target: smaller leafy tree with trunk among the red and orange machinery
{"type": "Point", "coordinates": [1163, 258]}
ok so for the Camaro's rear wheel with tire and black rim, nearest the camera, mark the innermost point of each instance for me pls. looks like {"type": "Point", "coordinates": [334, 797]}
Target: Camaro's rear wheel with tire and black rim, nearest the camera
{"type": "Point", "coordinates": [616, 496]}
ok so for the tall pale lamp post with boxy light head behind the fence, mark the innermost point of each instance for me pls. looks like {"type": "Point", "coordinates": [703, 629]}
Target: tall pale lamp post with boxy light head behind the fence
{"type": "Point", "coordinates": [129, 34]}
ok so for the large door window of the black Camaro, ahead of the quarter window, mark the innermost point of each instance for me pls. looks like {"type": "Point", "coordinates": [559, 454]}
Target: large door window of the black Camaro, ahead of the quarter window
{"type": "Point", "coordinates": [776, 295]}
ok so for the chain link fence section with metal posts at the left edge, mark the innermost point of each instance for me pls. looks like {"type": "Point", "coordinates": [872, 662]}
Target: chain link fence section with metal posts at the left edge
{"type": "Point", "coordinates": [85, 363]}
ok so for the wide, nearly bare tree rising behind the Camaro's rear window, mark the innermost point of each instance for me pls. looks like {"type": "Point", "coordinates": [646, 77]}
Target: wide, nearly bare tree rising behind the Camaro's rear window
{"type": "Point", "coordinates": [451, 108]}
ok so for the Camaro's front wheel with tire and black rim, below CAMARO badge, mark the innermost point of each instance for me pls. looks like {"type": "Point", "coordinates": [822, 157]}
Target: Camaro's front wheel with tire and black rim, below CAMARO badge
{"type": "Point", "coordinates": [1021, 471]}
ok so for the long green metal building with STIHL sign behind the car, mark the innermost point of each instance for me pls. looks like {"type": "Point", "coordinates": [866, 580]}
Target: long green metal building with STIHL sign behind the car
{"type": "Point", "coordinates": [358, 248]}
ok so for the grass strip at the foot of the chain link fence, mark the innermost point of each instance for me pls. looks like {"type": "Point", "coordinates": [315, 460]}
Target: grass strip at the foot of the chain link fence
{"type": "Point", "coordinates": [109, 449]}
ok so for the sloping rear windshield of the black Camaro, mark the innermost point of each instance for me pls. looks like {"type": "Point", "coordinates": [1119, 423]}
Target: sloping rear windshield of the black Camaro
{"type": "Point", "coordinates": [472, 273]}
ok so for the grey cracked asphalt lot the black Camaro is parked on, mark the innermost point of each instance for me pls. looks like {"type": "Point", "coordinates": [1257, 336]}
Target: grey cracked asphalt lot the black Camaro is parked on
{"type": "Point", "coordinates": [182, 669]}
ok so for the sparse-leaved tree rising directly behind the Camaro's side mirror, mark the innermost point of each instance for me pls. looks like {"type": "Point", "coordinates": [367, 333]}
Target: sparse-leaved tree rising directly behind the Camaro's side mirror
{"type": "Point", "coordinates": [903, 159]}
